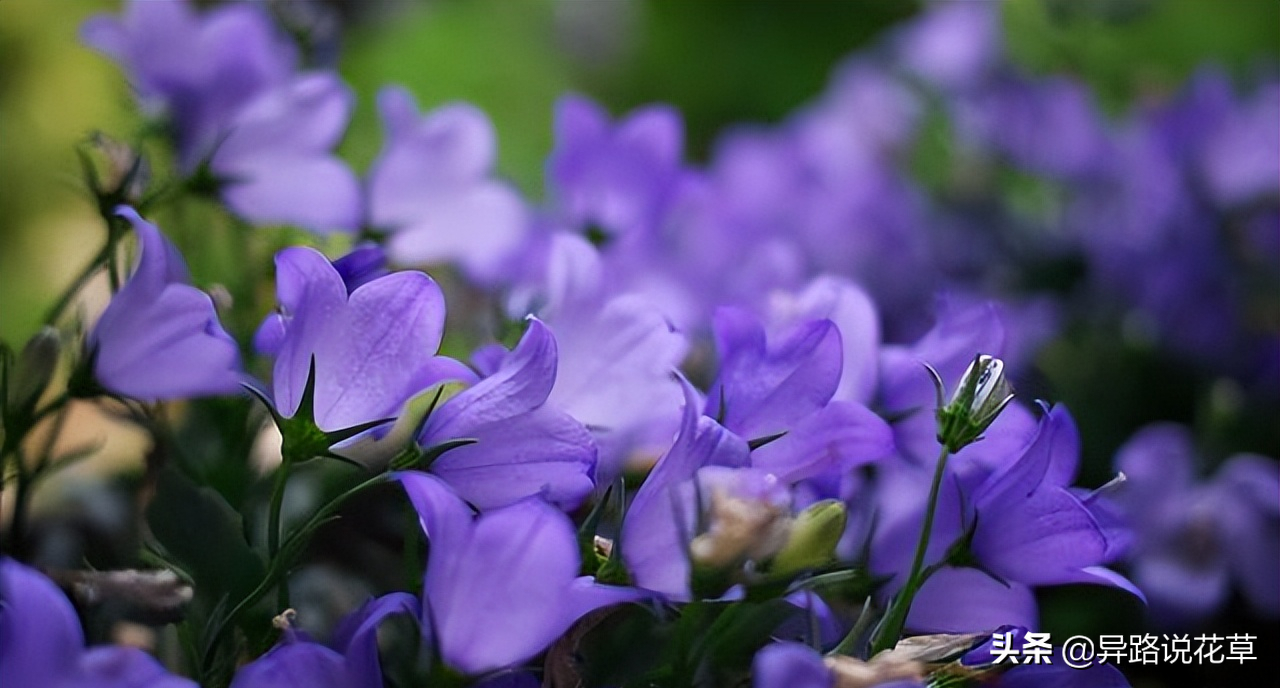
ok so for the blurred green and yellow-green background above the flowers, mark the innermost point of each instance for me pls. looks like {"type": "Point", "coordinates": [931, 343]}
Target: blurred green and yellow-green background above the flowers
{"type": "Point", "coordinates": [720, 62]}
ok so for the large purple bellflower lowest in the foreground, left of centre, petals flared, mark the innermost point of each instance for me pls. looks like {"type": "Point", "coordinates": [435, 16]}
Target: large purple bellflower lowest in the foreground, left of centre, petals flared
{"type": "Point", "coordinates": [502, 586]}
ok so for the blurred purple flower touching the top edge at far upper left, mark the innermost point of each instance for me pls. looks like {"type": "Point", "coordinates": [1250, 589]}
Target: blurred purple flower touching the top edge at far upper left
{"type": "Point", "coordinates": [199, 71]}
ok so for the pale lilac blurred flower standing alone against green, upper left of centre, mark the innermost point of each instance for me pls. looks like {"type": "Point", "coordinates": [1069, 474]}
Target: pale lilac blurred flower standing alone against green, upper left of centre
{"type": "Point", "coordinates": [433, 189]}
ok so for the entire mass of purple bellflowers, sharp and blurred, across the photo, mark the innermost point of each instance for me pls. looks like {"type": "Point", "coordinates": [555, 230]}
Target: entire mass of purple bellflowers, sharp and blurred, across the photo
{"type": "Point", "coordinates": [761, 340]}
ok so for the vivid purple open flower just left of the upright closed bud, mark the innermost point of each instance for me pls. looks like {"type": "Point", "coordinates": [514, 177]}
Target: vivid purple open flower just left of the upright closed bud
{"type": "Point", "coordinates": [779, 397]}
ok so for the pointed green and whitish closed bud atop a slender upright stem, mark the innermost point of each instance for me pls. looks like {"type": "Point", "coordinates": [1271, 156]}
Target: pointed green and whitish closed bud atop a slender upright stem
{"type": "Point", "coordinates": [977, 402]}
